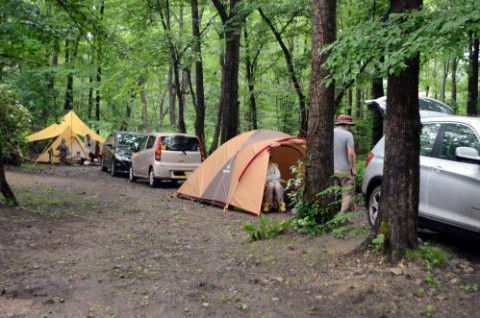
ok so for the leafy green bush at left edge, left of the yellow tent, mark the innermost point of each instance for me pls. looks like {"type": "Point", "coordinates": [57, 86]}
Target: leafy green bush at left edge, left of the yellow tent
{"type": "Point", "coordinates": [14, 119]}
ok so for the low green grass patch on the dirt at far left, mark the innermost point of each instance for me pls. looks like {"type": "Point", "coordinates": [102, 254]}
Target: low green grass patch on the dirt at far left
{"type": "Point", "coordinates": [51, 202]}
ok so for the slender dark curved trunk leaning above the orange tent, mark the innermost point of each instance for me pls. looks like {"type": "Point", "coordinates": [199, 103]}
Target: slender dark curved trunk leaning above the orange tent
{"type": "Point", "coordinates": [291, 71]}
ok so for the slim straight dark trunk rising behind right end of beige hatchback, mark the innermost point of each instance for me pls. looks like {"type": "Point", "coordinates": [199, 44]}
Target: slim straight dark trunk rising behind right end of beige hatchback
{"type": "Point", "coordinates": [200, 95]}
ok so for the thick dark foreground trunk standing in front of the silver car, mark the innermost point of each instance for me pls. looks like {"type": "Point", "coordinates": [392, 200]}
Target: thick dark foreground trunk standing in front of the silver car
{"type": "Point", "coordinates": [400, 197]}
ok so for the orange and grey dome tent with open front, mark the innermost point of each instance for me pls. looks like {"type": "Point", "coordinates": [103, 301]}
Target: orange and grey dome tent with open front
{"type": "Point", "coordinates": [234, 175]}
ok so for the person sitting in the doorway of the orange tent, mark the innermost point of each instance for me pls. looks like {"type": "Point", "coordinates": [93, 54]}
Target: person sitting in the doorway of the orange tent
{"type": "Point", "coordinates": [272, 183]}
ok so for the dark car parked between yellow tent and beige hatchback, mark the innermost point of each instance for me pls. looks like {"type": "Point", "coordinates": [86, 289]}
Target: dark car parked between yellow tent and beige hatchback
{"type": "Point", "coordinates": [117, 151]}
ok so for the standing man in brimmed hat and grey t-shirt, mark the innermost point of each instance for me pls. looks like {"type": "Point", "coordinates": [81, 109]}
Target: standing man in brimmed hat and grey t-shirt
{"type": "Point", "coordinates": [344, 160]}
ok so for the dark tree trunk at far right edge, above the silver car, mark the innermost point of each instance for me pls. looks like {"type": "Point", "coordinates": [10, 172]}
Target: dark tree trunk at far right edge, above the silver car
{"type": "Point", "coordinates": [472, 109]}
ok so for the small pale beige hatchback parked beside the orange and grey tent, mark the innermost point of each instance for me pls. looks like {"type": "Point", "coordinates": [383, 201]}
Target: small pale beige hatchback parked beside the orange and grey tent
{"type": "Point", "coordinates": [166, 156]}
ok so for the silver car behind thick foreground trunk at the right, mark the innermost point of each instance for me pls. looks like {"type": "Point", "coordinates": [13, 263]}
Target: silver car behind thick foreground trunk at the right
{"type": "Point", "coordinates": [449, 174]}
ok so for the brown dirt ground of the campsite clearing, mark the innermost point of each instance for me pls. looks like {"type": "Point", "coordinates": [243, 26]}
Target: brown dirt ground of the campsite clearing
{"type": "Point", "coordinates": [85, 244]}
